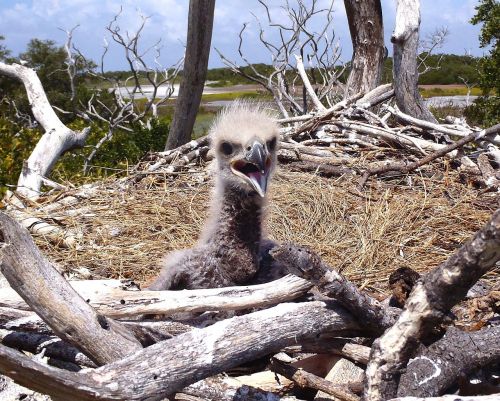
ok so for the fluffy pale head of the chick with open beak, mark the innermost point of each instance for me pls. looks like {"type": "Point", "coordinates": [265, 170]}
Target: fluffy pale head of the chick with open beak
{"type": "Point", "coordinates": [244, 139]}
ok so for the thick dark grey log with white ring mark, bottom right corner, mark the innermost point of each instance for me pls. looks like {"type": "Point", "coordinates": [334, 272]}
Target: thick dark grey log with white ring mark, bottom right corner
{"type": "Point", "coordinates": [431, 372]}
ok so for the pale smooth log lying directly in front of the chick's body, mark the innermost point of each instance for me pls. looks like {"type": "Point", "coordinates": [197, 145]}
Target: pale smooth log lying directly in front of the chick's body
{"type": "Point", "coordinates": [109, 299]}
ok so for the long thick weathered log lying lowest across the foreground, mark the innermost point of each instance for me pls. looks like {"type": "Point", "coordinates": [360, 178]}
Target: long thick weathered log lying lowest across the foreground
{"type": "Point", "coordinates": [167, 367]}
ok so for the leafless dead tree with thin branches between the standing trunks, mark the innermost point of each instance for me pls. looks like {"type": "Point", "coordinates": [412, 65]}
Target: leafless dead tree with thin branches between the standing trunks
{"type": "Point", "coordinates": [303, 60]}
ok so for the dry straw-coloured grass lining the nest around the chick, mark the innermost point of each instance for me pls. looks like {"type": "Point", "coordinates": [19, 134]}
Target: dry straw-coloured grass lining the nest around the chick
{"type": "Point", "coordinates": [365, 237]}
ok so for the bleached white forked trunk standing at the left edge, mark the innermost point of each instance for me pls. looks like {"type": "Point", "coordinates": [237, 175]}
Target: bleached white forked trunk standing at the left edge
{"type": "Point", "coordinates": [56, 140]}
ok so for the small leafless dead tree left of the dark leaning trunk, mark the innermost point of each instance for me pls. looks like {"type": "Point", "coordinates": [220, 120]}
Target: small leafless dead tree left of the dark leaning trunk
{"type": "Point", "coordinates": [124, 110]}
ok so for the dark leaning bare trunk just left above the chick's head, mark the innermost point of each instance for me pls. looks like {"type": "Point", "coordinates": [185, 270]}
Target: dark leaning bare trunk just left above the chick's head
{"type": "Point", "coordinates": [199, 36]}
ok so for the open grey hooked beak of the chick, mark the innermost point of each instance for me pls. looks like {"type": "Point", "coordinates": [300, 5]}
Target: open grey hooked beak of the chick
{"type": "Point", "coordinates": [254, 168]}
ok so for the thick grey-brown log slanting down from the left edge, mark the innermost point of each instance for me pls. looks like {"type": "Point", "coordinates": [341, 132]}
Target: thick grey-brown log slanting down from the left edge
{"type": "Point", "coordinates": [52, 298]}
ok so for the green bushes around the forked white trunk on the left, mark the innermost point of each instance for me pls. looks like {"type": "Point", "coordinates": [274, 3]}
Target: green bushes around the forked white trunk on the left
{"type": "Point", "coordinates": [17, 137]}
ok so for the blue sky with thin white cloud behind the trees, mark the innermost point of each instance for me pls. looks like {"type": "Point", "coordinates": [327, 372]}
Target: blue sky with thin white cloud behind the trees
{"type": "Point", "coordinates": [22, 20]}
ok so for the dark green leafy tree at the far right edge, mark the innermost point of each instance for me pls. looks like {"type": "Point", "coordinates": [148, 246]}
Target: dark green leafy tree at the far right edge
{"type": "Point", "coordinates": [486, 109]}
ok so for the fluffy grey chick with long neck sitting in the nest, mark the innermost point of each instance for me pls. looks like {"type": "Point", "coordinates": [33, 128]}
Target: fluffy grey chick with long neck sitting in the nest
{"type": "Point", "coordinates": [244, 139]}
